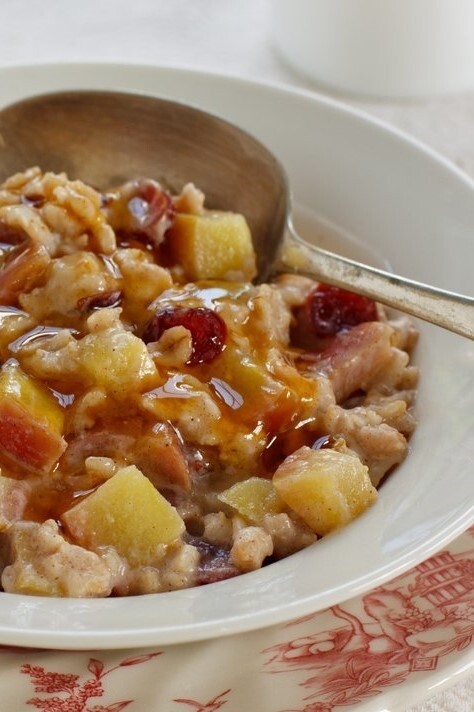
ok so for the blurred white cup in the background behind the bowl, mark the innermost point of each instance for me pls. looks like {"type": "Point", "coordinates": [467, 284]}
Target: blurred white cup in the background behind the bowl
{"type": "Point", "coordinates": [379, 48]}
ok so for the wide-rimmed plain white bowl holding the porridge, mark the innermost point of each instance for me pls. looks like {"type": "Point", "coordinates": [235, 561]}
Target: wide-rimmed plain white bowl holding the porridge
{"type": "Point", "coordinates": [392, 200]}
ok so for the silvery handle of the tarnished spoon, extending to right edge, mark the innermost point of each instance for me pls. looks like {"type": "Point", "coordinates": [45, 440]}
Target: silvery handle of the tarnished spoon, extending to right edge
{"type": "Point", "coordinates": [447, 309]}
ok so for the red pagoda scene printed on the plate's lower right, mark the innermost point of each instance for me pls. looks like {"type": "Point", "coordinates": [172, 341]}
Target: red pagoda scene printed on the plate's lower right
{"type": "Point", "coordinates": [382, 638]}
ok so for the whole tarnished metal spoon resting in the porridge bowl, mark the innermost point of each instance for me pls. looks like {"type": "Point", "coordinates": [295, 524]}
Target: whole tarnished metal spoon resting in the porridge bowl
{"type": "Point", "coordinates": [106, 138]}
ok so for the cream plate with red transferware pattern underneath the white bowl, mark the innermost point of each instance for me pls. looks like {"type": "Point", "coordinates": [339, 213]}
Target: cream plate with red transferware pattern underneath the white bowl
{"type": "Point", "coordinates": [381, 651]}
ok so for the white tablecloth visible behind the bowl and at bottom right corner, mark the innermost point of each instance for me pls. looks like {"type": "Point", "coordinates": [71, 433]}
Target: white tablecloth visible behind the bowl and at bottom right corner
{"type": "Point", "coordinates": [230, 37]}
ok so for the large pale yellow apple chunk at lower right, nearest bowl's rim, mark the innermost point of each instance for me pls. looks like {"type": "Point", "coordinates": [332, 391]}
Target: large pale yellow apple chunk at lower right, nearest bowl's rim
{"type": "Point", "coordinates": [326, 488]}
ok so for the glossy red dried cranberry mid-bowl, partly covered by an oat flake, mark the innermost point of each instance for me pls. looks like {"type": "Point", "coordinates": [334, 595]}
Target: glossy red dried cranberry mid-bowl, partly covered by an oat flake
{"type": "Point", "coordinates": [208, 330]}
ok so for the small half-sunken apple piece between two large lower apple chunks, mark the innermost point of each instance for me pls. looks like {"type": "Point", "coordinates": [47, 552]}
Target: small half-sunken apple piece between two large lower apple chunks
{"type": "Point", "coordinates": [253, 498]}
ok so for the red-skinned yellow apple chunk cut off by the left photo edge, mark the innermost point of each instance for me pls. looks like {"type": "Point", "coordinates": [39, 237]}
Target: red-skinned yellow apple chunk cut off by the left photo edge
{"type": "Point", "coordinates": [31, 422]}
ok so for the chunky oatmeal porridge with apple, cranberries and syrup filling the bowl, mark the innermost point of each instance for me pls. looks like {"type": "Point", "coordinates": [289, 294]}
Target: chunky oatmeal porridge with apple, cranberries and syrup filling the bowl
{"type": "Point", "coordinates": [164, 421]}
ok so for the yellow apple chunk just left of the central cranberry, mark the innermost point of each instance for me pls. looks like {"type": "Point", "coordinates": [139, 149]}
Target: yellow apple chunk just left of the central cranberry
{"type": "Point", "coordinates": [116, 360]}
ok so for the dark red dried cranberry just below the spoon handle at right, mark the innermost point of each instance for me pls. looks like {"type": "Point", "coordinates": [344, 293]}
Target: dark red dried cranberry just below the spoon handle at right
{"type": "Point", "coordinates": [333, 309]}
